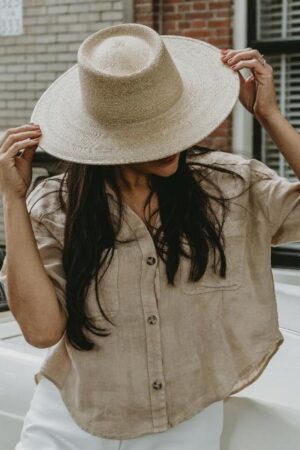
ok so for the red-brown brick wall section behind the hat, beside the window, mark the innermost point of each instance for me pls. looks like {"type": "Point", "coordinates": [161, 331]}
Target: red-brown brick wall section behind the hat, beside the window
{"type": "Point", "coordinates": [210, 21]}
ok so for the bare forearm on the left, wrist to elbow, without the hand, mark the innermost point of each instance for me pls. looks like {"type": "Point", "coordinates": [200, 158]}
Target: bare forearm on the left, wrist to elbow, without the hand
{"type": "Point", "coordinates": [31, 294]}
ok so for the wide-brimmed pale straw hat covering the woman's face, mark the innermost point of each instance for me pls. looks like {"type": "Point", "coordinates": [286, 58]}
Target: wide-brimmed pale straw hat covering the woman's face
{"type": "Point", "coordinates": [135, 96]}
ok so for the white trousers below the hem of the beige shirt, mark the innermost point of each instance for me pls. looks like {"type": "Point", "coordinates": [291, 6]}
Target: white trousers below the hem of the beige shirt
{"type": "Point", "coordinates": [48, 425]}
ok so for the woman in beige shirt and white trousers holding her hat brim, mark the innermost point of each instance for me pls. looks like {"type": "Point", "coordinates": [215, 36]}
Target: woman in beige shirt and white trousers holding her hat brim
{"type": "Point", "coordinates": [146, 264]}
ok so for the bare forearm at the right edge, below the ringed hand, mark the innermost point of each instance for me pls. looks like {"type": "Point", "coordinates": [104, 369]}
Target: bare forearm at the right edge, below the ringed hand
{"type": "Point", "coordinates": [285, 137]}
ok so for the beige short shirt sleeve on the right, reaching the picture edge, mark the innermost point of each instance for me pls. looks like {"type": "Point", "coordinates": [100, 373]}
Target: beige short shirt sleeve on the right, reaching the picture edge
{"type": "Point", "coordinates": [280, 201]}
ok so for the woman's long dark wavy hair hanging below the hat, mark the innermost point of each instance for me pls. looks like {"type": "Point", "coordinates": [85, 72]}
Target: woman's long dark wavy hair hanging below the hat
{"type": "Point", "coordinates": [187, 214]}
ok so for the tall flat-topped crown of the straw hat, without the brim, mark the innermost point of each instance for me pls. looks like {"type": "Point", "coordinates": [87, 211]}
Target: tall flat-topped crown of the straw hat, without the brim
{"type": "Point", "coordinates": [127, 74]}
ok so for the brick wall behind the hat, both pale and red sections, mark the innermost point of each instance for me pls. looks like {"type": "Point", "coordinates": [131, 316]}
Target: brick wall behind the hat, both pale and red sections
{"type": "Point", "coordinates": [53, 31]}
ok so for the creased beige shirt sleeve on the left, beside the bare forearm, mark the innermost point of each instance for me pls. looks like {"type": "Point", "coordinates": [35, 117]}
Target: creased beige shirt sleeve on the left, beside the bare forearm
{"type": "Point", "coordinates": [48, 231]}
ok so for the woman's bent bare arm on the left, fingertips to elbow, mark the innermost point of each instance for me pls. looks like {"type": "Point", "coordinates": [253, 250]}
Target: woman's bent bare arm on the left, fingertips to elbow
{"type": "Point", "coordinates": [31, 295]}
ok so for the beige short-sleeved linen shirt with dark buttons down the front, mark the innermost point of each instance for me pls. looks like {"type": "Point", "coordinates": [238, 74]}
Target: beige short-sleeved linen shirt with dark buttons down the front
{"type": "Point", "coordinates": [174, 350]}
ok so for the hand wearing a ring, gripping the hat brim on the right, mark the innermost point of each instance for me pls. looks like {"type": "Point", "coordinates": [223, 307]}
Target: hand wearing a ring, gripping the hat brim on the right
{"type": "Point", "coordinates": [257, 92]}
